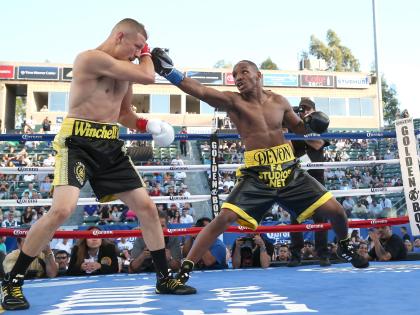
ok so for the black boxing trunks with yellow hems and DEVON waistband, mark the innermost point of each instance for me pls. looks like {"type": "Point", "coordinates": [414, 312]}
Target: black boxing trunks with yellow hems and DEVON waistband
{"type": "Point", "coordinates": [273, 175]}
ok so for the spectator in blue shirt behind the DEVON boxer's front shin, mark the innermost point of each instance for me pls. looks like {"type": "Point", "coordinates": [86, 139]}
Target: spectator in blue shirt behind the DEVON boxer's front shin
{"type": "Point", "coordinates": [214, 257]}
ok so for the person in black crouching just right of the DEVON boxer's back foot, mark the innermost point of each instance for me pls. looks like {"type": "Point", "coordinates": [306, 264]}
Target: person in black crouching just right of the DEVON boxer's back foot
{"type": "Point", "coordinates": [386, 245]}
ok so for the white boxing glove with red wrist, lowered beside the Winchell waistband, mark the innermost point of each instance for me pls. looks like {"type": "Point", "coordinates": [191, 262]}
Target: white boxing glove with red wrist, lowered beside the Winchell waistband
{"type": "Point", "coordinates": [162, 133]}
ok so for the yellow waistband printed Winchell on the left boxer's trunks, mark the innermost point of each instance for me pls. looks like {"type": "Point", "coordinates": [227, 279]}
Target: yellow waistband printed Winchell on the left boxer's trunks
{"type": "Point", "coordinates": [89, 129]}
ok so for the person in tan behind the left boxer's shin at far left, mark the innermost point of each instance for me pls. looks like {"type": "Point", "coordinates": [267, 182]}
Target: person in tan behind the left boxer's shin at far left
{"type": "Point", "coordinates": [43, 266]}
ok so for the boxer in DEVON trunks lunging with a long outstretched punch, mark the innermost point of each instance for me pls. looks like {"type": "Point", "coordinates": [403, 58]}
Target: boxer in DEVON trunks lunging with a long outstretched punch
{"type": "Point", "coordinates": [271, 173]}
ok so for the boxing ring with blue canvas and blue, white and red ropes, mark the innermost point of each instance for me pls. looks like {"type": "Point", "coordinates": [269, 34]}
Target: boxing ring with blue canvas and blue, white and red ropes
{"type": "Point", "coordinates": [384, 287]}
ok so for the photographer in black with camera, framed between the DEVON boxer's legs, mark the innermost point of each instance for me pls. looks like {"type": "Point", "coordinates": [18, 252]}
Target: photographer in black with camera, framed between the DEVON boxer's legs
{"type": "Point", "coordinates": [251, 251]}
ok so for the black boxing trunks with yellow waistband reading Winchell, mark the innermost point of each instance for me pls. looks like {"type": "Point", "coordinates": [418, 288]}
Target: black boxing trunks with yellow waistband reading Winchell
{"type": "Point", "coordinates": [88, 150]}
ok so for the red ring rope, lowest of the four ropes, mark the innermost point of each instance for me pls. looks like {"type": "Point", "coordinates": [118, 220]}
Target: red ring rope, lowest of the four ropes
{"type": "Point", "coordinates": [196, 230]}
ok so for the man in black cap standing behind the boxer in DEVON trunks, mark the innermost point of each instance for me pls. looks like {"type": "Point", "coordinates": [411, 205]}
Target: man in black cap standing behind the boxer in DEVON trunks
{"type": "Point", "coordinates": [315, 151]}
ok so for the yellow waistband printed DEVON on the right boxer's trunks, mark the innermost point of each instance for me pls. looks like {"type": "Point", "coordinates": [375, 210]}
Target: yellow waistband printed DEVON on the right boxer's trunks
{"type": "Point", "coordinates": [275, 155]}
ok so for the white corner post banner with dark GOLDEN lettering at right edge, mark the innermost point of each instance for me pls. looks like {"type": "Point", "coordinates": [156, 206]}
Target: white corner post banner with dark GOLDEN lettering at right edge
{"type": "Point", "coordinates": [407, 147]}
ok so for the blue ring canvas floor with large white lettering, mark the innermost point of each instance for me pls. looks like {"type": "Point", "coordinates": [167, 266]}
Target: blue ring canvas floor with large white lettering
{"type": "Point", "coordinates": [383, 288]}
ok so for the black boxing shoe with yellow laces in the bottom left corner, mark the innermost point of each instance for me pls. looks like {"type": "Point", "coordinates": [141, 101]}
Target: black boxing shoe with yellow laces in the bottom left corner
{"type": "Point", "coordinates": [12, 295]}
